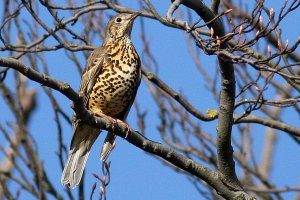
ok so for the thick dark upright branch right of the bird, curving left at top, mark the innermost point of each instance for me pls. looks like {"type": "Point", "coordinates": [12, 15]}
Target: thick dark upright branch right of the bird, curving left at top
{"type": "Point", "coordinates": [227, 98]}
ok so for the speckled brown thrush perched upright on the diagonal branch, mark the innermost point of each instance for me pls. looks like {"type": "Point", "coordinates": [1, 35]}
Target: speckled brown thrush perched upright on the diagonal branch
{"type": "Point", "coordinates": [108, 86]}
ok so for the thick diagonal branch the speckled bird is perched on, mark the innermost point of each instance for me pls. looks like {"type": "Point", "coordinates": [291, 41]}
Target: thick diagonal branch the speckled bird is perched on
{"type": "Point", "coordinates": [121, 129]}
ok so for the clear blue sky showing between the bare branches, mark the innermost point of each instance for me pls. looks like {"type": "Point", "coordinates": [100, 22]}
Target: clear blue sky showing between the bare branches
{"type": "Point", "coordinates": [134, 173]}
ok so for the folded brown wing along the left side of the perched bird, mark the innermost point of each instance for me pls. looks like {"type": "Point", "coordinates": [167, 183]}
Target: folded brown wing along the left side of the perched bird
{"type": "Point", "coordinates": [91, 72]}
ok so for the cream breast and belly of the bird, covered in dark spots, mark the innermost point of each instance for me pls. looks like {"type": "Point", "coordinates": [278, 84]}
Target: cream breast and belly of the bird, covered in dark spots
{"type": "Point", "coordinates": [116, 86]}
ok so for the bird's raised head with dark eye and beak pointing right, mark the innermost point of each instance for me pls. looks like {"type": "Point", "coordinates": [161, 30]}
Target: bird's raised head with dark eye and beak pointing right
{"type": "Point", "coordinates": [120, 25]}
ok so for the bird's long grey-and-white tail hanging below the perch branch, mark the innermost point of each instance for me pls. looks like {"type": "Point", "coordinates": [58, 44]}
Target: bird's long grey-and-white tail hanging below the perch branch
{"type": "Point", "coordinates": [83, 138]}
